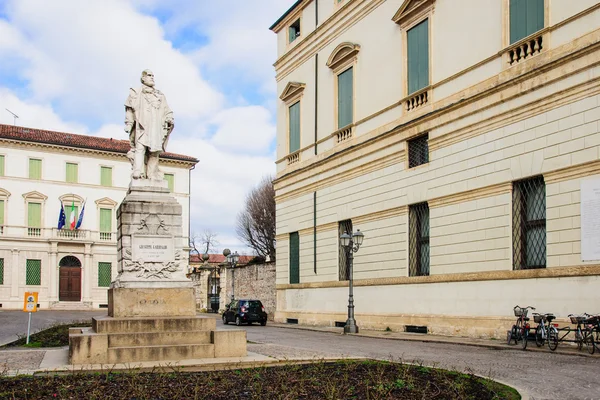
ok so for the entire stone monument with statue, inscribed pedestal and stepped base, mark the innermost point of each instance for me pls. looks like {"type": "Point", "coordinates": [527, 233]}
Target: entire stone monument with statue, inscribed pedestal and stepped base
{"type": "Point", "coordinates": [151, 304]}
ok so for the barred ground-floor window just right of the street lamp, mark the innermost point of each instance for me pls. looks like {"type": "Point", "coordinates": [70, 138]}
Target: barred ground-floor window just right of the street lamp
{"type": "Point", "coordinates": [418, 257]}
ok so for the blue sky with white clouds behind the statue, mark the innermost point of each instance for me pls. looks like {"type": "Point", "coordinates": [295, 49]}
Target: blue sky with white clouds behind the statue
{"type": "Point", "coordinates": [66, 65]}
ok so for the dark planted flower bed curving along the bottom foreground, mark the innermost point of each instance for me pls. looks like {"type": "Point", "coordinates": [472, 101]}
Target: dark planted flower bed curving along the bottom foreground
{"type": "Point", "coordinates": [321, 380]}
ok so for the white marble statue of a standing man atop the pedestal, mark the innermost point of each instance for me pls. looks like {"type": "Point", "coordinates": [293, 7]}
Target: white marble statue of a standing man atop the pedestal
{"type": "Point", "coordinates": [149, 122]}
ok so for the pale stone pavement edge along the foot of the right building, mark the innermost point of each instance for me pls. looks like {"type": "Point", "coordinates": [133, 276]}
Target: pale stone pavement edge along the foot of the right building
{"type": "Point", "coordinates": [438, 339]}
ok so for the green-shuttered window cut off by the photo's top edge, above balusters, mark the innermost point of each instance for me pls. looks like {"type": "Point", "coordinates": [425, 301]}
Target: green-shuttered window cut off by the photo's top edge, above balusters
{"type": "Point", "coordinates": [526, 17]}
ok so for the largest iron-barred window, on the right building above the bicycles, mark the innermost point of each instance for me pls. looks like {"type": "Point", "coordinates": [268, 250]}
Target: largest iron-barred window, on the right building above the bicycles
{"type": "Point", "coordinates": [529, 223]}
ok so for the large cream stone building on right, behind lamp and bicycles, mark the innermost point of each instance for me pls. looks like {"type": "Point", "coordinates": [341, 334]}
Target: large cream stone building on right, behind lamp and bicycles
{"type": "Point", "coordinates": [462, 138]}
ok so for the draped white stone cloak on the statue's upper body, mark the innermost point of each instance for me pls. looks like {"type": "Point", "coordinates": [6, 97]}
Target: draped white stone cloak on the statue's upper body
{"type": "Point", "coordinates": [150, 113]}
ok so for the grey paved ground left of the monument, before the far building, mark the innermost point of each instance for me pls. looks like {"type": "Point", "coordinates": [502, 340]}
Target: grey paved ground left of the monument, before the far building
{"type": "Point", "coordinates": [14, 323]}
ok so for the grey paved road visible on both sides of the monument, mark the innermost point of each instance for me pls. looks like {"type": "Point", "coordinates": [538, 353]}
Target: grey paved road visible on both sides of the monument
{"type": "Point", "coordinates": [542, 375]}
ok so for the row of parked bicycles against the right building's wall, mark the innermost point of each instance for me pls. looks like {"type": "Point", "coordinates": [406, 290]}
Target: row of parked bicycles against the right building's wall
{"type": "Point", "coordinates": [586, 331]}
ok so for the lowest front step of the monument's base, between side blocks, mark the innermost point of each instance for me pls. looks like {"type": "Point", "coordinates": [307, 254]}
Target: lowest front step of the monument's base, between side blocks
{"type": "Point", "coordinates": [160, 353]}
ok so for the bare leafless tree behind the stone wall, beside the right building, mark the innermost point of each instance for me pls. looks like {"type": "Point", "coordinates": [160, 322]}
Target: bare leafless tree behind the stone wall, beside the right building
{"type": "Point", "coordinates": [256, 223]}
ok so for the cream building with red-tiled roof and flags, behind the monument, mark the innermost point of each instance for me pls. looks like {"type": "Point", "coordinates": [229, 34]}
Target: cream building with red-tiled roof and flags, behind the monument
{"type": "Point", "coordinates": [40, 171]}
